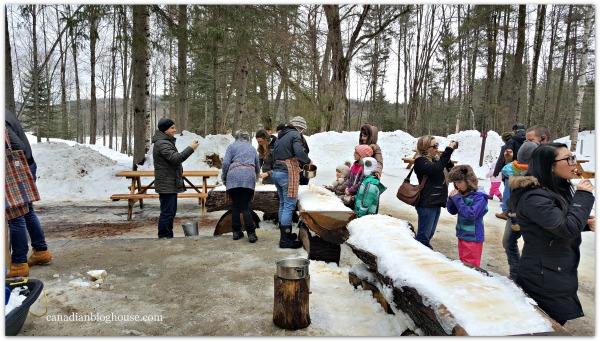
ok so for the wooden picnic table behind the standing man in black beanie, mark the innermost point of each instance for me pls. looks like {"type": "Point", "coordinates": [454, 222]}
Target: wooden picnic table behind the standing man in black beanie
{"type": "Point", "coordinates": [139, 192]}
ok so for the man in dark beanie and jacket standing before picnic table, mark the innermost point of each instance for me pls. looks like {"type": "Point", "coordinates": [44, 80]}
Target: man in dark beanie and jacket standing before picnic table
{"type": "Point", "coordinates": [168, 173]}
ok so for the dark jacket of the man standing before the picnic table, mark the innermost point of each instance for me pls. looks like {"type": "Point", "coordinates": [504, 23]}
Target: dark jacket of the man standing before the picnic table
{"type": "Point", "coordinates": [168, 171]}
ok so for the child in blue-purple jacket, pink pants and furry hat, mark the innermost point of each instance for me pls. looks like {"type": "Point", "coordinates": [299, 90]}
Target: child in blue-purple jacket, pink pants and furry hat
{"type": "Point", "coordinates": [471, 205]}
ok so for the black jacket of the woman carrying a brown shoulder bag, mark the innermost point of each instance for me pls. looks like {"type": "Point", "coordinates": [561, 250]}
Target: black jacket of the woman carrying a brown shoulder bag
{"type": "Point", "coordinates": [435, 193]}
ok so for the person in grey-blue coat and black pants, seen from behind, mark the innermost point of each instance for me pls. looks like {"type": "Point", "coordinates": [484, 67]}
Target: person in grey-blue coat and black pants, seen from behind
{"type": "Point", "coordinates": [239, 173]}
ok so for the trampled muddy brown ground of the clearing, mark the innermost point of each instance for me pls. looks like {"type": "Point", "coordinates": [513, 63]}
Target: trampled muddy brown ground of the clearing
{"type": "Point", "coordinates": [150, 276]}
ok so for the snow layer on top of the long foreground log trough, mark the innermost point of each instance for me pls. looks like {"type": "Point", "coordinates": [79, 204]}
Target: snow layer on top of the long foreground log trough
{"type": "Point", "coordinates": [483, 306]}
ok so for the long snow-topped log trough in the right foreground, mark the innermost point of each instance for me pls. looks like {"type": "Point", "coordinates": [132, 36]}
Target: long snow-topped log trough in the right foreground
{"type": "Point", "coordinates": [441, 296]}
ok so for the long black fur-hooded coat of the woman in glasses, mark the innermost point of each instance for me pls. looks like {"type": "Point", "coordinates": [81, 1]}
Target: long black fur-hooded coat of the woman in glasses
{"type": "Point", "coordinates": [548, 267]}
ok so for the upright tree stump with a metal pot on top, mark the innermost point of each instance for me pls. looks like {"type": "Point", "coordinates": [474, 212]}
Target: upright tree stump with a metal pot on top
{"type": "Point", "coordinates": [291, 309]}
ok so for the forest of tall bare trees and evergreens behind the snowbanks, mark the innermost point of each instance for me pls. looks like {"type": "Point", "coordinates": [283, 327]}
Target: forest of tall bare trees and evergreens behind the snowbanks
{"type": "Point", "coordinates": [81, 72]}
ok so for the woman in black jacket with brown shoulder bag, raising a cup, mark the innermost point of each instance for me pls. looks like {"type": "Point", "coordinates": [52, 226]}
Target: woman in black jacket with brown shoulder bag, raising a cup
{"type": "Point", "coordinates": [428, 162]}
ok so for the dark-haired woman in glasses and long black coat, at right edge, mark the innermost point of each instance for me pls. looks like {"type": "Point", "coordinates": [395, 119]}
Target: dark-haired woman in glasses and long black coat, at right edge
{"type": "Point", "coordinates": [552, 216]}
